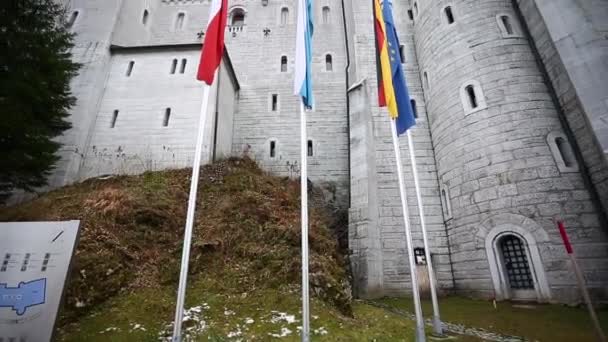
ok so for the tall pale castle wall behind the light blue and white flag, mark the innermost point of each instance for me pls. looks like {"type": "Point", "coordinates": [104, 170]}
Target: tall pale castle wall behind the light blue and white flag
{"type": "Point", "coordinates": [257, 61]}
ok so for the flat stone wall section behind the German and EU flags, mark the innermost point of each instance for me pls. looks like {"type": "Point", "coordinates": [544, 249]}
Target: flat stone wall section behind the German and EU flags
{"type": "Point", "coordinates": [394, 257]}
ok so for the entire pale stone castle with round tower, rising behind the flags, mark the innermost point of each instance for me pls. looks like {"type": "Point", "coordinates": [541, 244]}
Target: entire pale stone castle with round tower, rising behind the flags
{"type": "Point", "coordinates": [512, 125]}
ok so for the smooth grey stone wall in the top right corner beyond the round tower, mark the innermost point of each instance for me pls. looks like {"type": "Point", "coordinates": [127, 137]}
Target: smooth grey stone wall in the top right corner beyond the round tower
{"type": "Point", "coordinates": [584, 49]}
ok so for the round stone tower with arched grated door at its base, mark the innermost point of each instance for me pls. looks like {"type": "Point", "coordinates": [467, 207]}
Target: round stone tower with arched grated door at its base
{"type": "Point", "coordinates": [505, 166]}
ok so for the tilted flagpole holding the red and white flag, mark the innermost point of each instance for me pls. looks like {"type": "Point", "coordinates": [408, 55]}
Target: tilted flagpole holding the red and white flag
{"type": "Point", "coordinates": [183, 276]}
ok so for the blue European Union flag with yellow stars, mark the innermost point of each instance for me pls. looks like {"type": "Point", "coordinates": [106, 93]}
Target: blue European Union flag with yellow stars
{"type": "Point", "coordinates": [406, 119]}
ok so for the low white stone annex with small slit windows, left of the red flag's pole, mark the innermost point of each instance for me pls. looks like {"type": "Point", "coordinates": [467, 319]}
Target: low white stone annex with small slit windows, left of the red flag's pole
{"type": "Point", "coordinates": [139, 142]}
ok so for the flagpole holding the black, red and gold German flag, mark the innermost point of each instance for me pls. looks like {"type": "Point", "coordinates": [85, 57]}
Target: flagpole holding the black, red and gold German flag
{"type": "Point", "coordinates": [420, 336]}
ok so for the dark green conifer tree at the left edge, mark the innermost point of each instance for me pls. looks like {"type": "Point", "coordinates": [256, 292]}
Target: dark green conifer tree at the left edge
{"type": "Point", "coordinates": [35, 73]}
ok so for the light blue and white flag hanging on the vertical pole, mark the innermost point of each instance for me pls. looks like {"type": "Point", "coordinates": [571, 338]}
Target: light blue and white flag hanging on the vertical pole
{"type": "Point", "coordinates": [303, 74]}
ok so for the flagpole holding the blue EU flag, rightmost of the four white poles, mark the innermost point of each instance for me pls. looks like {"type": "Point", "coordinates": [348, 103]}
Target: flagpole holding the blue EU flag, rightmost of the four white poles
{"type": "Point", "coordinates": [429, 264]}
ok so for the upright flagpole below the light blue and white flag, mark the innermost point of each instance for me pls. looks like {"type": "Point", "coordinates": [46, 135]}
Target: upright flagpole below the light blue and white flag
{"type": "Point", "coordinates": [304, 197]}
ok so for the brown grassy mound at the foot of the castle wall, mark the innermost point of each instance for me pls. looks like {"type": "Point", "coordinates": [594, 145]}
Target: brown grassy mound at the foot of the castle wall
{"type": "Point", "coordinates": [247, 235]}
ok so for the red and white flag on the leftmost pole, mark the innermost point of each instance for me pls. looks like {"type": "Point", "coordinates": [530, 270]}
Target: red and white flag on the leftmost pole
{"type": "Point", "coordinates": [213, 46]}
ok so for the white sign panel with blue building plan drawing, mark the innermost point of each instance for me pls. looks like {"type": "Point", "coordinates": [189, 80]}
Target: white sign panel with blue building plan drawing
{"type": "Point", "coordinates": [34, 262]}
